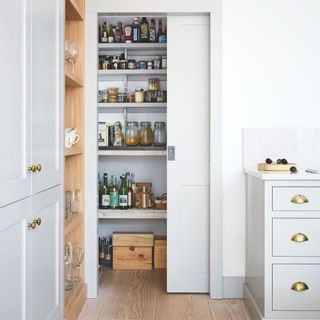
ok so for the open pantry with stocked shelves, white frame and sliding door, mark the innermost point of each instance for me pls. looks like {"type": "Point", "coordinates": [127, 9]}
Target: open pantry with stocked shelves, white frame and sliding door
{"type": "Point", "coordinates": [138, 88]}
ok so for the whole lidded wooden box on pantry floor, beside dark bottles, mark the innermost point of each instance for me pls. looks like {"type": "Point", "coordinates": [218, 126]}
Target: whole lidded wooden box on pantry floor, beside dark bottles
{"type": "Point", "coordinates": [132, 250]}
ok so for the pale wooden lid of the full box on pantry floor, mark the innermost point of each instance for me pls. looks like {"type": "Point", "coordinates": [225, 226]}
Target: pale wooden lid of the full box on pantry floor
{"type": "Point", "coordinates": [132, 239]}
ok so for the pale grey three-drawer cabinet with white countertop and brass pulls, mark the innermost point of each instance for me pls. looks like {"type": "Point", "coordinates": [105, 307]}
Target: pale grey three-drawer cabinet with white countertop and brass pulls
{"type": "Point", "coordinates": [282, 245]}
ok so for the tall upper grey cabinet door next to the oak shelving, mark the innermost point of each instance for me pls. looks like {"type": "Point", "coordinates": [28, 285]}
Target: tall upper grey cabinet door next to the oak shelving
{"type": "Point", "coordinates": [47, 95]}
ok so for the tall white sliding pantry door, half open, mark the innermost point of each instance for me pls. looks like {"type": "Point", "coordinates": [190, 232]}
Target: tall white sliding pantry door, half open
{"type": "Point", "coordinates": [188, 176]}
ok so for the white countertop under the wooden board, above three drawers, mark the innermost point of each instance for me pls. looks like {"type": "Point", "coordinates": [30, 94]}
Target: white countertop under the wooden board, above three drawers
{"type": "Point", "coordinates": [281, 175]}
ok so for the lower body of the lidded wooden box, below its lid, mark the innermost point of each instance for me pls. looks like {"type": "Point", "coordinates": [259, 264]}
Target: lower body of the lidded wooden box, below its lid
{"type": "Point", "coordinates": [132, 258]}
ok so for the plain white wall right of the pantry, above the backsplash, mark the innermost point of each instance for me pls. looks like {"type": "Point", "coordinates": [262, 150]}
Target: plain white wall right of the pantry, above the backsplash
{"type": "Point", "coordinates": [271, 78]}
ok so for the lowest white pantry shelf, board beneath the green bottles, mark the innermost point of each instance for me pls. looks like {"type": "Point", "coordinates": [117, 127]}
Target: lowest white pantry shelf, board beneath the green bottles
{"type": "Point", "coordinates": [132, 214]}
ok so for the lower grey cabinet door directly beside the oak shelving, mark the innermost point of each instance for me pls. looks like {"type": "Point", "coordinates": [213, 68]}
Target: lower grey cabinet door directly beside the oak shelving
{"type": "Point", "coordinates": [46, 251]}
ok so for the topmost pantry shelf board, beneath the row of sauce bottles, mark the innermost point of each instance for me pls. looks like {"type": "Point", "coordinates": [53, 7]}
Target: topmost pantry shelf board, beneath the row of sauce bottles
{"type": "Point", "coordinates": [132, 46]}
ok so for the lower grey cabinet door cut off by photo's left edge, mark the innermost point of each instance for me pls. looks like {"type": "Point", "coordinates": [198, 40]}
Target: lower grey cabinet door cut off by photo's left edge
{"type": "Point", "coordinates": [15, 261]}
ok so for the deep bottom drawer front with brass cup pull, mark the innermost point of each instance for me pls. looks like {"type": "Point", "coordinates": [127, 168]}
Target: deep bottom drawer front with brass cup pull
{"type": "Point", "coordinates": [303, 277]}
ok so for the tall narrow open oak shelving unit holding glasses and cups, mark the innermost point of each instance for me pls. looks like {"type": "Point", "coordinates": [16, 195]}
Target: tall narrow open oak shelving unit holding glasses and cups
{"type": "Point", "coordinates": [74, 157]}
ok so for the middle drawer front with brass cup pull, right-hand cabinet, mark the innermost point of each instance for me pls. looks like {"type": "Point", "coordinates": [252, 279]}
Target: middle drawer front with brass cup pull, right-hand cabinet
{"type": "Point", "coordinates": [296, 237]}
